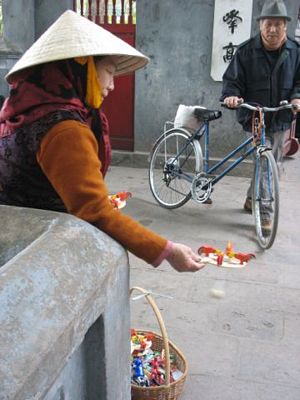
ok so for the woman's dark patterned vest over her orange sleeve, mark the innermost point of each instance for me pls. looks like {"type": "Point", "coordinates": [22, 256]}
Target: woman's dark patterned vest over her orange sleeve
{"type": "Point", "coordinates": [22, 182]}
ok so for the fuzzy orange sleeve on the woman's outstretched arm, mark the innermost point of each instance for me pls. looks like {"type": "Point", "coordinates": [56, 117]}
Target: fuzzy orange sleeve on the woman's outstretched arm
{"type": "Point", "coordinates": [68, 156]}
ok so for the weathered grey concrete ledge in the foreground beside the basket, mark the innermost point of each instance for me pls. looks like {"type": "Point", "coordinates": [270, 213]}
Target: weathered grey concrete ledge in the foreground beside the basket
{"type": "Point", "coordinates": [63, 288]}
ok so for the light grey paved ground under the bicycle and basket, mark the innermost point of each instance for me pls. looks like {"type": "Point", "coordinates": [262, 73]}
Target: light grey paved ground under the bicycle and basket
{"type": "Point", "coordinates": [244, 346]}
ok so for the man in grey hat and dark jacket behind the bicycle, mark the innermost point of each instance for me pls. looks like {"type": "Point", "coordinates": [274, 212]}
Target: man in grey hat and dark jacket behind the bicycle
{"type": "Point", "coordinates": [265, 70]}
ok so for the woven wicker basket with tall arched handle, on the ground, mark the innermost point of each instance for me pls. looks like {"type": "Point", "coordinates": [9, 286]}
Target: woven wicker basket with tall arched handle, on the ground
{"type": "Point", "coordinates": [169, 391]}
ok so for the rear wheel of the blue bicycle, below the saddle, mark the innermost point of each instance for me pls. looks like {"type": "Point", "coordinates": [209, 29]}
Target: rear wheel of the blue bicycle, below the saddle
{"type": "Point", "coordinates": [174, 161]}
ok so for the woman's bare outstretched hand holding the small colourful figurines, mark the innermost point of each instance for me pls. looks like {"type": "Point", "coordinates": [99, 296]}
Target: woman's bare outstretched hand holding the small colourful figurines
{"type": "Point", "coordinates": [183, 259]}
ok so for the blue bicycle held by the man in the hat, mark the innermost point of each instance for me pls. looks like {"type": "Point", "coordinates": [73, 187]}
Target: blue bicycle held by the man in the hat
{"type": "Point", "coordinates": [179, 171]}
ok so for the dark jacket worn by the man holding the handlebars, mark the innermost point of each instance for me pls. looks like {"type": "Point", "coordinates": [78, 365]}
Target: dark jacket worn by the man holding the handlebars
{"type": "Point", "coordinates": [252, 76]}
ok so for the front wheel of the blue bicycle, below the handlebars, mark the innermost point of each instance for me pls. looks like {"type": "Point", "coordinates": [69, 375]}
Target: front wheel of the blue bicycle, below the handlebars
{"type": "Point", "coordinates": [266, 198]}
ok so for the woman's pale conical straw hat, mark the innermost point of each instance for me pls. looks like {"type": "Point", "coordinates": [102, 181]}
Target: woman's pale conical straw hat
{"type": "Point", "coordinates": [72, 35]}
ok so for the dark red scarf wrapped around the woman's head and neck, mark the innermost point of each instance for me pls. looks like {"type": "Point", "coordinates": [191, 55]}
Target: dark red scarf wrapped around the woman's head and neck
{"type": "Point", "coordinates": [38, 91]}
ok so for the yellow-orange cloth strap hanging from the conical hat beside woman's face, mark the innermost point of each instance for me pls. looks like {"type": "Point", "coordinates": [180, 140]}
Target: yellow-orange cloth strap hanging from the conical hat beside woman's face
{"type": "Point", "coordinates": [93, 90]}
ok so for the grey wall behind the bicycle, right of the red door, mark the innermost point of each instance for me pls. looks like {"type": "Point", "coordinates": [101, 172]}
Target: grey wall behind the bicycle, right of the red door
{"type": "Point", "coordinates": [177, 36]}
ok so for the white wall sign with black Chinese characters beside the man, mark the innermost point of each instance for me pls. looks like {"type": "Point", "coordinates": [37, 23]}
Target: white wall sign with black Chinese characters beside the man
{"type": "Point", "coordinates": [232, 26]}
